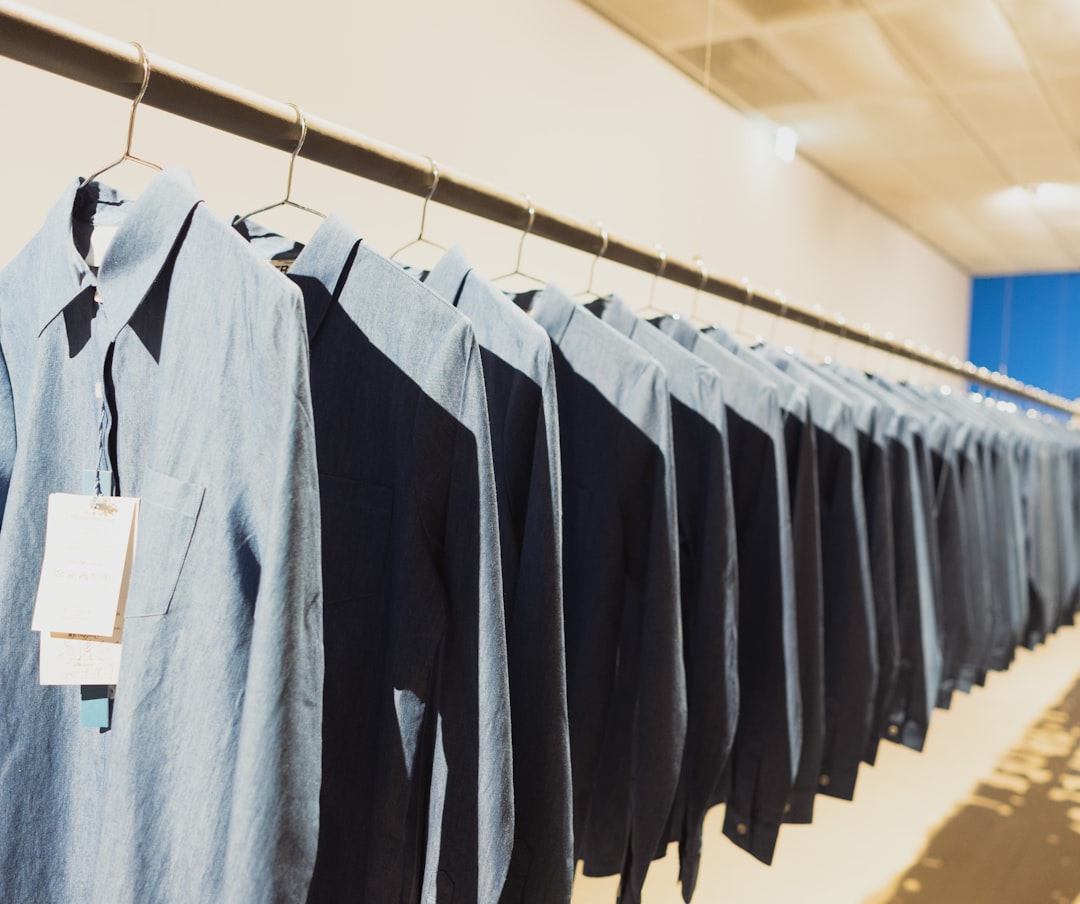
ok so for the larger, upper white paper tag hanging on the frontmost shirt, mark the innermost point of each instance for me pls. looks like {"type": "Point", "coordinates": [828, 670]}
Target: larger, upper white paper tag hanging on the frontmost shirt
{"type": "Point", "coordinates": [89, 549]}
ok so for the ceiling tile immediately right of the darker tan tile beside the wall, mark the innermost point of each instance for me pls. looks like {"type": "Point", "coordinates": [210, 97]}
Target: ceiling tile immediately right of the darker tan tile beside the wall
{"type": "Point", "coordinates": [843, 57]}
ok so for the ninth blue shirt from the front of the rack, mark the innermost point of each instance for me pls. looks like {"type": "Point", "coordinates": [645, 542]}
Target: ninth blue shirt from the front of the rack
{"type": "Point", "coordinates": [875, 427]}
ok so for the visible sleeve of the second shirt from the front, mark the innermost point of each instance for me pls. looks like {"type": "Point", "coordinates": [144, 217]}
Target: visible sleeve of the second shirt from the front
{"type": "Point", "coordinates": [471, 809]}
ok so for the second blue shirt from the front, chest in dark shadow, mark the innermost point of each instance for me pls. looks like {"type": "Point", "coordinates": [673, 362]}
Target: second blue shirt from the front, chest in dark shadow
{"type": "Point", "coordinates": [417, 797]}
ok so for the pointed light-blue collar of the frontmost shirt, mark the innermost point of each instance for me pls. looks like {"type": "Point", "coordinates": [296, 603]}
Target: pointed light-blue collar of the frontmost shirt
{"type": "Point", "coordinates": [147, 231]}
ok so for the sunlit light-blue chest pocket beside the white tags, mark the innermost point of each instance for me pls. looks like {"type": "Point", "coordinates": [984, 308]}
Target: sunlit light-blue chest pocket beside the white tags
{"type": "Point", "coordinates": [169, 509]}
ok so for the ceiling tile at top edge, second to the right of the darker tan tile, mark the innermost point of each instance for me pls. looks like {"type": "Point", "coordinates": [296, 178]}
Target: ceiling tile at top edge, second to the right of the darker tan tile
{"type": "Point", "coordinates": [957, 42]}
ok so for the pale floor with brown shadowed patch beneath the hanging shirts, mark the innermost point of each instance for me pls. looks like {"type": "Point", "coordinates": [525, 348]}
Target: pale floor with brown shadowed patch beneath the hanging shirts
{"type": "Point", "coordinates": [989, 814]}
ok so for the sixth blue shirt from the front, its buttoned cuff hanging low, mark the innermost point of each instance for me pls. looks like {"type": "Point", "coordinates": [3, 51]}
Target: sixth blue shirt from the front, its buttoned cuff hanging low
{"type": "Point", "coordinates": [765, 757]}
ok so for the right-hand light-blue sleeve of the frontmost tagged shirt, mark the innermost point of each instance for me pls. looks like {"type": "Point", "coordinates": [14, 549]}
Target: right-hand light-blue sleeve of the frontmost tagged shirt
{"type": "Point", "coordinates": [275, 808]}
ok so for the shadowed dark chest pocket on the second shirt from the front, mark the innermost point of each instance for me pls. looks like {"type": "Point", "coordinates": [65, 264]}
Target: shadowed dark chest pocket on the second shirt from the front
{"type": "Point", "coordinates": [357, 519]}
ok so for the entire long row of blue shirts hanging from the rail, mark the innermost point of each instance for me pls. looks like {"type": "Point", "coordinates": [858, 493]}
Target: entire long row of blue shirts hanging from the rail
{"type": "Point", "coordinates": [433, 599]}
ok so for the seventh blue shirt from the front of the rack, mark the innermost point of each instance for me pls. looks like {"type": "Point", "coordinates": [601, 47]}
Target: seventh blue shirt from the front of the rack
{"type": "Point", "coordinates": [801, 446]}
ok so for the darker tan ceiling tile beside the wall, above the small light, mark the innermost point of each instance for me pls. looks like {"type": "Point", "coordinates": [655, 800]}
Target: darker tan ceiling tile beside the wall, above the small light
{"type": "Point", "coordinates": [751, 73]}
